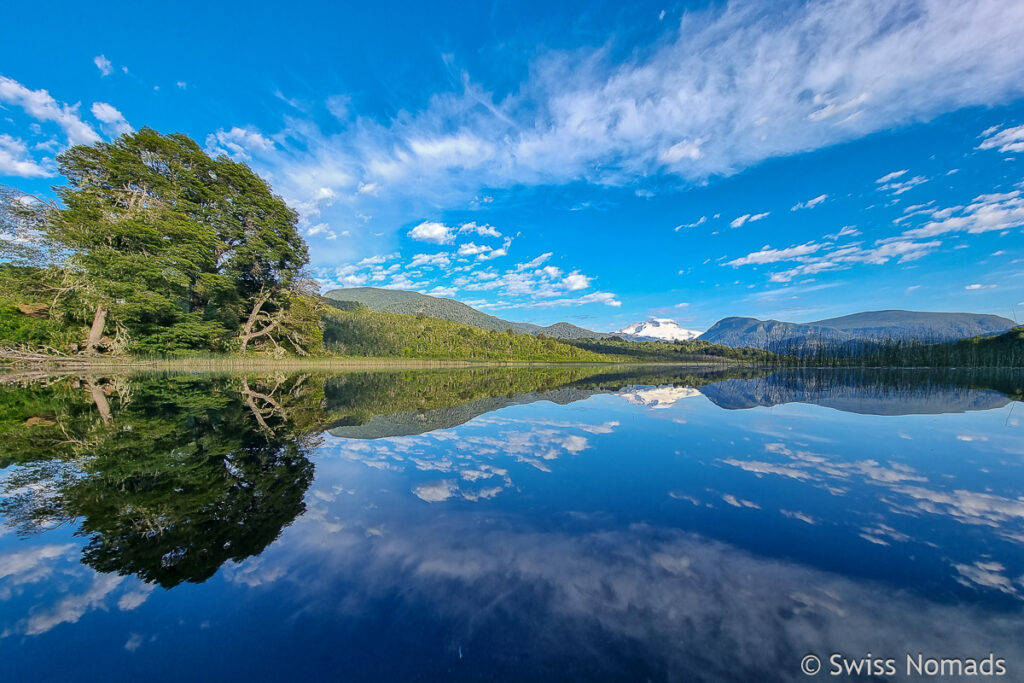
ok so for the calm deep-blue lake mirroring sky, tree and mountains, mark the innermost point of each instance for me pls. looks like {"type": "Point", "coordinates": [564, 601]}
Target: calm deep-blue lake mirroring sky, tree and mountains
{"type": "Point", "coordinates": [508, 525]}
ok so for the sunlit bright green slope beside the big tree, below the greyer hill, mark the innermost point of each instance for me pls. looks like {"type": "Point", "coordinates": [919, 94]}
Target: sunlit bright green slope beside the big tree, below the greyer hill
{"type": "Point", "coordinates": [366, 333]}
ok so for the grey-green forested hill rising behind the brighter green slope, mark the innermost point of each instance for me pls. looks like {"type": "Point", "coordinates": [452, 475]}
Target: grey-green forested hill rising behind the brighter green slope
{"type": "Point", "coordinates": [413, 304]}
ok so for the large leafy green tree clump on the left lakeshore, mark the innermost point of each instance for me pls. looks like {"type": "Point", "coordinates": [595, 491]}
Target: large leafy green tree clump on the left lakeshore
{"type": "Point", "coordinates": [166, 249]}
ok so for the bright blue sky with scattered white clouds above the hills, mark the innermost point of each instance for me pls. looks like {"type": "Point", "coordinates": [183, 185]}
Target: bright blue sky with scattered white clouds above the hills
{"type": "Point", "coordinates": [581, 161]}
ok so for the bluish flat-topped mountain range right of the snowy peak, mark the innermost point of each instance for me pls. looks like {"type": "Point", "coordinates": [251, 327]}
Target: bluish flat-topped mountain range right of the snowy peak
{"type": "Point", "coordinates": [870, 326]}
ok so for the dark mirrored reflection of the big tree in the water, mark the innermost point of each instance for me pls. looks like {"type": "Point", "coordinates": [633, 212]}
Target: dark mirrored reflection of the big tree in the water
{"type": "Point", "coordinates": [168, 478]}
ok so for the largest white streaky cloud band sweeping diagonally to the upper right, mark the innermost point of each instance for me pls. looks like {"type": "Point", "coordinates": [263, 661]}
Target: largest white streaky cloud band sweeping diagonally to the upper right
{"type": "Point", "coordinates": [733, 87]}
